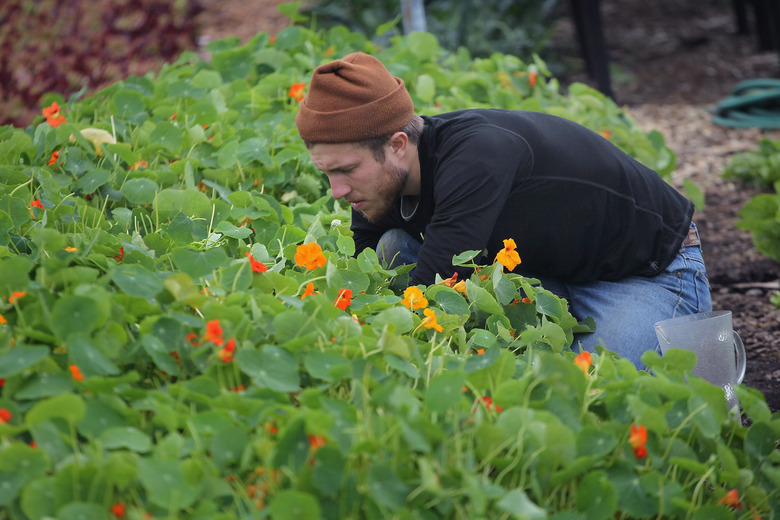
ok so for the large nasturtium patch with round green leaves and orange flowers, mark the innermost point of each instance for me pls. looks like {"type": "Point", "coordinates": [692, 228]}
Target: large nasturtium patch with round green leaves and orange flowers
{"type": "Point", "coordinates": [149, 366]}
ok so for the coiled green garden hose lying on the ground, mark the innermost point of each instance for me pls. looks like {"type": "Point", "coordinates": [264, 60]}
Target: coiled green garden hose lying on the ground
{"type": "Point", "coordinates": [753, 103]}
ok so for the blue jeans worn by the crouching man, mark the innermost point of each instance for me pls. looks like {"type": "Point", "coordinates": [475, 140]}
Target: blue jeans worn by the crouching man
{"type": "Point", "coordinates": [625, 310]}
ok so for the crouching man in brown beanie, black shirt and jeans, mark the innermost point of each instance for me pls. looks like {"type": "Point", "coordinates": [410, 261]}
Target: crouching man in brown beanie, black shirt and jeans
{"type": "Point", "coordinates": [594, 225]}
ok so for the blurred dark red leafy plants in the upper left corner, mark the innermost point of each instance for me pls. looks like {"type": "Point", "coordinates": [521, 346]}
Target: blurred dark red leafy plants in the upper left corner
{"type": "Point", "coordinates": [67, 46]}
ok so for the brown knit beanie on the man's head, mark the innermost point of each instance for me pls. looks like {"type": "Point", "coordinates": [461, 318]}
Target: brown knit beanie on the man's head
{"type": "Point", "coordinates": [353, 99]}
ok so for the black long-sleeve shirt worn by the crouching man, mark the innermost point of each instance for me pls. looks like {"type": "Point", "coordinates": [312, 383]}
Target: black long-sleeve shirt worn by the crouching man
{"type": "Point", "coordinates": [578, 208]}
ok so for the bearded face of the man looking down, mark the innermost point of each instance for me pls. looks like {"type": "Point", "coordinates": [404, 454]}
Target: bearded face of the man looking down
{"type": "Point", "coordinates": [356, 176]}
